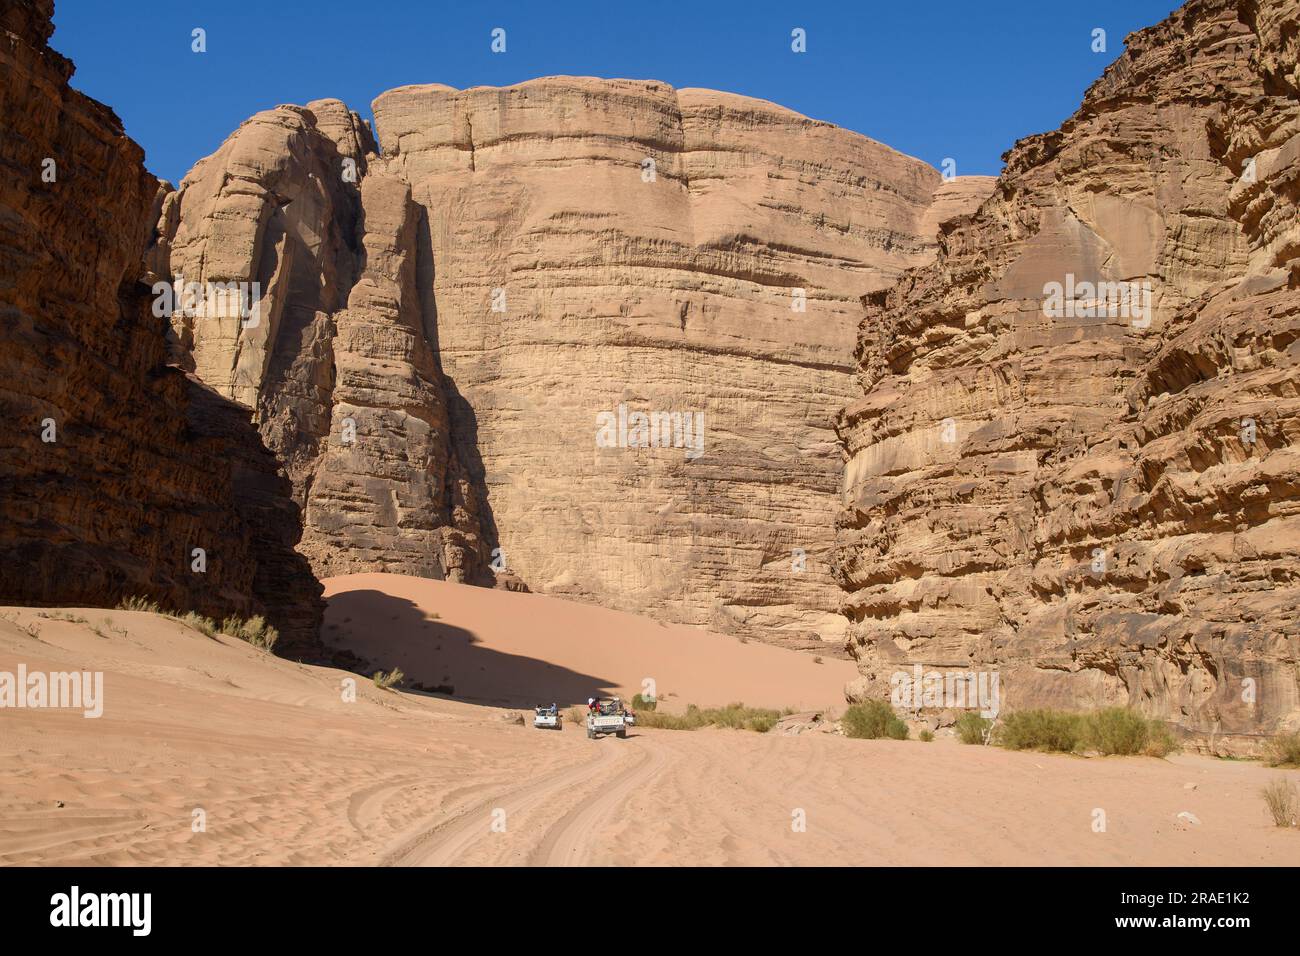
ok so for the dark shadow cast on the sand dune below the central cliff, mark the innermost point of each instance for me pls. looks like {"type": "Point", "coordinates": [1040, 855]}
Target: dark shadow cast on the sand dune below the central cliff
{"type": "Point", "coordinates": [393, 633]}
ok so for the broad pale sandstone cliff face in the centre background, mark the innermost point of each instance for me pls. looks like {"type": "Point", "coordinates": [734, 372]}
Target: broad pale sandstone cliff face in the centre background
{"type": "Point", "coordinates": [617, 248]}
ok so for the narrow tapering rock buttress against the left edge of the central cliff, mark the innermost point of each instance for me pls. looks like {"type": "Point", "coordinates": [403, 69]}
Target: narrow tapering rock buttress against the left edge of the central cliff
{"type": "Point", "coordinates": [395, 498]}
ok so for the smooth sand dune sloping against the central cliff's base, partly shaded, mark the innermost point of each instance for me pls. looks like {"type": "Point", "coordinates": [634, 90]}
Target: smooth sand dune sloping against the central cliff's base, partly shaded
{"type": "Point", "coordinates": [513, 650]}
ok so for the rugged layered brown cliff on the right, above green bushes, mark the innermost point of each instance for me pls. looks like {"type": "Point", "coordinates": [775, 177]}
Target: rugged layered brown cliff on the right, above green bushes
{"type": "Point", "coordinates": [1098, 500]}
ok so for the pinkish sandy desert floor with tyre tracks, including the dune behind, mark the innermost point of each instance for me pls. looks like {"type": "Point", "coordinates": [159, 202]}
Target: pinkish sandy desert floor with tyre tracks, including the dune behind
{"type": "Point", "coordinates": [285, 771]}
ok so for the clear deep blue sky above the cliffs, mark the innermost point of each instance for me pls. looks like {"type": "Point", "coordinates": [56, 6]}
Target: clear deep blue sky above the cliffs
{"type": "Point", "coordinates": [934, 80]}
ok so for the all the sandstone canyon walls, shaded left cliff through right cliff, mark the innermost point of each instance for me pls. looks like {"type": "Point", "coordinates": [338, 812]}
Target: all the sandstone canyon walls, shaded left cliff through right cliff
{"type": "Point", "coordinates": [904, 457]}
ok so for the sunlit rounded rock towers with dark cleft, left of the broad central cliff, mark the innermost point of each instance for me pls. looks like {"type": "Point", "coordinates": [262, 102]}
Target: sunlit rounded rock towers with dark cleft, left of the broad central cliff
{"type": "Point", "coordinates": [336, 360]}
